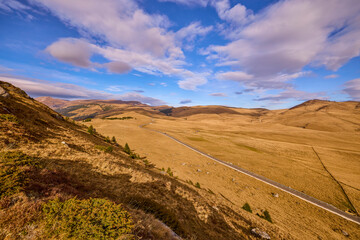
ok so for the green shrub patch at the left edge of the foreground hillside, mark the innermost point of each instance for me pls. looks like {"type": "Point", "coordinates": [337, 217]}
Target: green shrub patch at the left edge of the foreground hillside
{"type": "Point", "coordinates": [13, 171]}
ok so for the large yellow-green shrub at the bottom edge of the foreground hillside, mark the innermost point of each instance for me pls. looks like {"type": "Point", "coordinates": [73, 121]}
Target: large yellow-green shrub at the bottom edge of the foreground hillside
{"type": "Point", "coordinates": [87, 219]}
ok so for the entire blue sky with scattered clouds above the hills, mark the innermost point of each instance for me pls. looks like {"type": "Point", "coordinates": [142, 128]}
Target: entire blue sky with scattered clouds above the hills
{"type": "Point", "coordinates": [246, 53]}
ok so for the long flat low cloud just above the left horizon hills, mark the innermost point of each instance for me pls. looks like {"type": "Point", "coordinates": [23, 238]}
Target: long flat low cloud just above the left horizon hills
{"type": "Point", "coordinates": [37, 88]}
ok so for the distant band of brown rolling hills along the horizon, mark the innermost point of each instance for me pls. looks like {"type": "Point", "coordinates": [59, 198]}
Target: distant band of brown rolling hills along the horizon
{"type": "Point", "coordinates": [313, 114]}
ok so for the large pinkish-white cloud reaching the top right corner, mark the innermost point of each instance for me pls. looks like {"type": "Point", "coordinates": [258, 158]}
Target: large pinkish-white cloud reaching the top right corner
{"type": "Point", "coordinates": [291, 34]}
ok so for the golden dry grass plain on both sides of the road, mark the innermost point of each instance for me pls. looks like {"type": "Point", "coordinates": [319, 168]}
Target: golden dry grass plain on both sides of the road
{"type": "Point", "coordinates": [279, 152]}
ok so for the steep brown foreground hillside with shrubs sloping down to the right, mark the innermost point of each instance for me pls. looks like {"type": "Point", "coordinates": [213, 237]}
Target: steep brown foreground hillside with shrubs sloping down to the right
{"type": "Point", "coordinates": [60, 181]}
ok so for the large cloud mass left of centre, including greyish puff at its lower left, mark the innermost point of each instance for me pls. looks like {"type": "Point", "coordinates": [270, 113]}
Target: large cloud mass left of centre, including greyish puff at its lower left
{"type": "Point", "coordinates": [133, 38]}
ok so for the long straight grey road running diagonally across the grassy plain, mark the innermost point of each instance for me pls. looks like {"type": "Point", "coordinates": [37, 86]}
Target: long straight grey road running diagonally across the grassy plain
{"type": "Point", "coordinates": [298, 194]}
